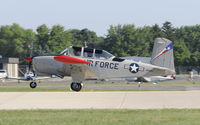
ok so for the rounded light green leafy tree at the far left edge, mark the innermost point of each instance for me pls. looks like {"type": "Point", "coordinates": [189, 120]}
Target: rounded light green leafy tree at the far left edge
{"type": "Point", "coordinates": [14, 41]}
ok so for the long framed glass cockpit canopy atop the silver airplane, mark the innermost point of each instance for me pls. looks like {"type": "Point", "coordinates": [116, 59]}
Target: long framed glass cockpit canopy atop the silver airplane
{"type": "Point", "coordinates": [86, 52]}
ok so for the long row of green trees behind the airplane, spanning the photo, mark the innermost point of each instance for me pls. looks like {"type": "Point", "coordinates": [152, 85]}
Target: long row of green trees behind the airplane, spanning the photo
{"type": "Point", "coordinates": [121, 40]}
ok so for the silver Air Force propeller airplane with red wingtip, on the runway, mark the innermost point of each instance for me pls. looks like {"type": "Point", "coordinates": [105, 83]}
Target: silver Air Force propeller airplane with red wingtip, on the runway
{"type": "Point", "coordinates": [81, 63]}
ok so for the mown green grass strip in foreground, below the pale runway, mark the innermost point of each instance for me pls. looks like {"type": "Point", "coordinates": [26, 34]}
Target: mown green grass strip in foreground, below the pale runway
{"type": "Point", "coordinates": [100, 117]}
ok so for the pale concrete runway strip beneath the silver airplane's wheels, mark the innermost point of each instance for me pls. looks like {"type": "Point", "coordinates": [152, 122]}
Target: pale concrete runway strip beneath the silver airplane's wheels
{"type": "Point", "coordinates": [100, 100]}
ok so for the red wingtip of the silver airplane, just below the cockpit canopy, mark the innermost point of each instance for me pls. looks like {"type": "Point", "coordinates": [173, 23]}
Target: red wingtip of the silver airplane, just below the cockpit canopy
{"type": "Point", "coordinates": [70, 60]}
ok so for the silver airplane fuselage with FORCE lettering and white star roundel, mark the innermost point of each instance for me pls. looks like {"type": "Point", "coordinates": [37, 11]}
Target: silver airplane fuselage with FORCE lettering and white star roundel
{"type": "Point", "coordinates": [102, 68]}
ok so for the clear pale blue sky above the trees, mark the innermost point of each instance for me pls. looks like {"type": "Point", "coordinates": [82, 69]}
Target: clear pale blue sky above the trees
{"type": "Point", "coordinates": [98, 15]}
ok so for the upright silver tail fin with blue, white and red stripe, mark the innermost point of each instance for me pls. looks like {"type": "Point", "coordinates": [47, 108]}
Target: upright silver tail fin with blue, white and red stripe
{"type": "Point", "coordinates": [163, 53]}
